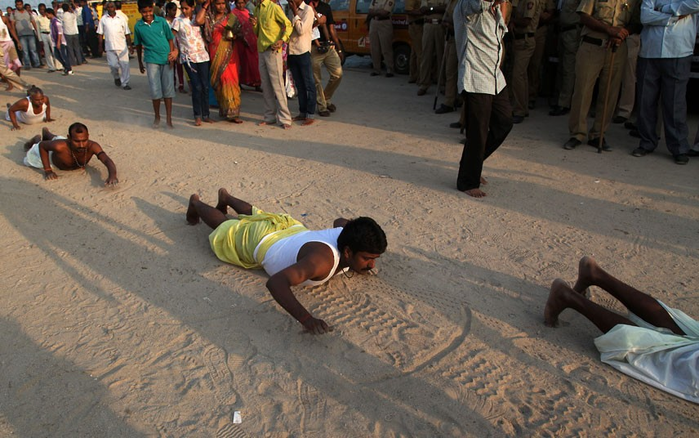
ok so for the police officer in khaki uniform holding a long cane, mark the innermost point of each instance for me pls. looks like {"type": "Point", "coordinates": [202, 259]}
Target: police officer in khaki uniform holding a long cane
{"type": "Point", "coordinates": [606, 23]}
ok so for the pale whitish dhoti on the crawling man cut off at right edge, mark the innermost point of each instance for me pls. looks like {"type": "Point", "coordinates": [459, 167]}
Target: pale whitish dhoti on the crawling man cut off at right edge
{"type": "Point", "coordinates": [655, 355]}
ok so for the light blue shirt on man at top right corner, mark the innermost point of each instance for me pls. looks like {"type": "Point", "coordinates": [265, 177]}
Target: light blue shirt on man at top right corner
{"type": "Point", "coordinates": [664, 35]}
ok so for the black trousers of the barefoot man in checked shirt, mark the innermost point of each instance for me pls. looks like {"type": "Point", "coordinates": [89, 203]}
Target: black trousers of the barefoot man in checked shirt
{"type": "Point", "coordinates": [488, 121]}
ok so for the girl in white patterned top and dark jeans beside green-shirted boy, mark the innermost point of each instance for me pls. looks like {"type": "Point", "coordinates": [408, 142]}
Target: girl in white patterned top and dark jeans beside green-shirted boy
{"type": "Point", "coordinates": [195, 58]}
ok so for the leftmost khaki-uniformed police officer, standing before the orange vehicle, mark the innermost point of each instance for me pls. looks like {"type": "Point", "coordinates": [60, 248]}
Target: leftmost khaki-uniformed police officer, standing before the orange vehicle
{"type": "Point", "coordinates": [381, 35]}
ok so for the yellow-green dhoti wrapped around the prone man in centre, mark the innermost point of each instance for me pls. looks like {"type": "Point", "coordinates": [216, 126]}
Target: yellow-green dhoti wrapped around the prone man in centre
{"type": "Point", "coordinates": [244, 241]}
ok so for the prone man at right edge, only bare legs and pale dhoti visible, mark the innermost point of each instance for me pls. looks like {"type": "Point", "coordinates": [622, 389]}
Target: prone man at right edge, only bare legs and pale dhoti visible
{"type": "Point", "coordinates": [655, 343]}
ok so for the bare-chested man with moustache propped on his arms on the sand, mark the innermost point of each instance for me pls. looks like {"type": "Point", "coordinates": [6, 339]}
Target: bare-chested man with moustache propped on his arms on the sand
{"type": "Point", "coordinates": [66, 153]}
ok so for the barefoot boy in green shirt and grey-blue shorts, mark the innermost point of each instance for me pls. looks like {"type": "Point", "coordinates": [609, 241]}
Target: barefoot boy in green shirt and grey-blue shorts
{"type": "Point", "coordinates": [153, 34]}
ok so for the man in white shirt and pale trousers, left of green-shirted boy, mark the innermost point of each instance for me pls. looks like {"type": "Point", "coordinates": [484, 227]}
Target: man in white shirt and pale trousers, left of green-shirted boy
{"type": "Point", "coordinates": [117, 39]}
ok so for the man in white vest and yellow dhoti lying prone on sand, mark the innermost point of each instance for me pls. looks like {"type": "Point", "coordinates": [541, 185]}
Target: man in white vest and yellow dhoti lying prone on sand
{"type": "Point", "coordinates": [290, 253]}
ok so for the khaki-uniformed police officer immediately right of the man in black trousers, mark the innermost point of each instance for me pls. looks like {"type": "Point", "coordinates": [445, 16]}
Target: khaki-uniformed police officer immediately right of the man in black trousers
{"type": "Point", "coordinates": [525, 20]}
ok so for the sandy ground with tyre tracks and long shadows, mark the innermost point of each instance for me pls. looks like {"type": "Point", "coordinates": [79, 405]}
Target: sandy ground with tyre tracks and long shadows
{"type": "Point", "coordinates": [117, 319]}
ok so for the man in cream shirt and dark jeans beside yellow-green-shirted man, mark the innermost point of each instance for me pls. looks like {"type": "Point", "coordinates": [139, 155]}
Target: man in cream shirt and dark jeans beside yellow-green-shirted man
{"type": "Point", "coordinates": [299, 59]}
